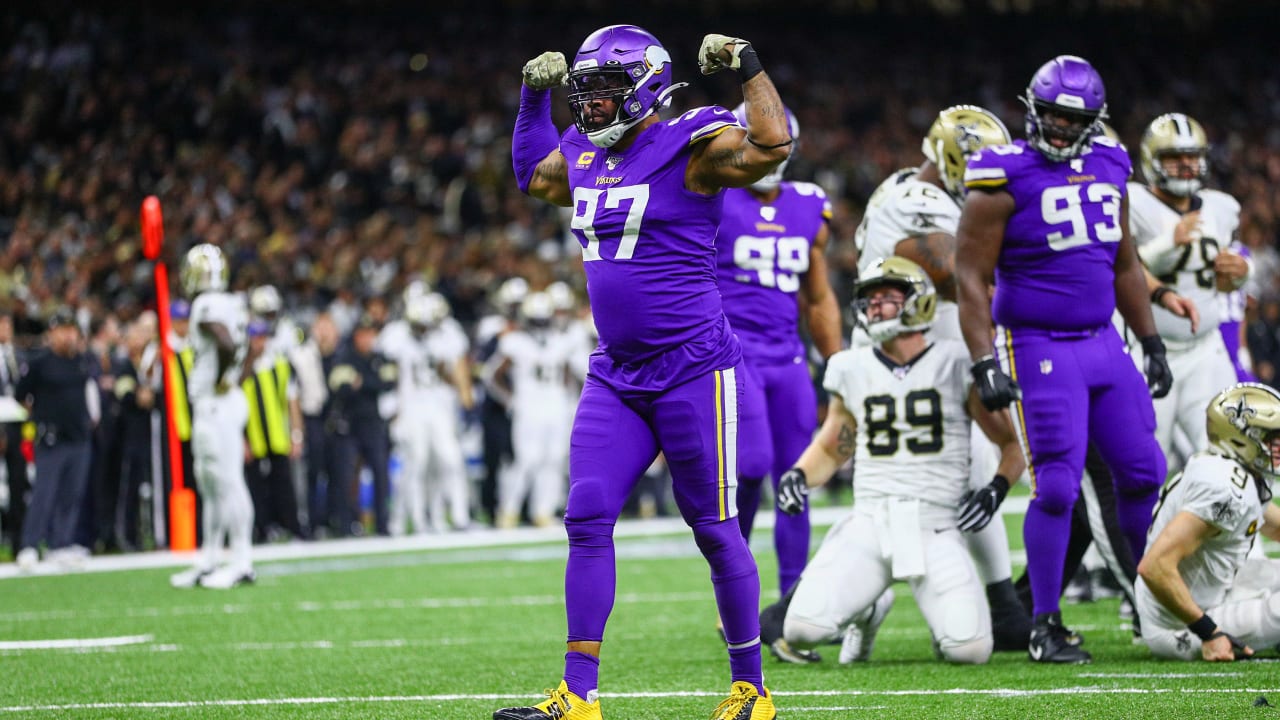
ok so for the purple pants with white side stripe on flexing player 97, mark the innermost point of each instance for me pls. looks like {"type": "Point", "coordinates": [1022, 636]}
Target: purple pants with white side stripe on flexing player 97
{"type": "Point", "coordinates": [615, 439]}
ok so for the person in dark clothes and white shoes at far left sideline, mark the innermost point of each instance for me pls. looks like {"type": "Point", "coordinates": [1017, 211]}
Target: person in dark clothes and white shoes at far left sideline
{"type": "Point", "coordinates": [56, 384]}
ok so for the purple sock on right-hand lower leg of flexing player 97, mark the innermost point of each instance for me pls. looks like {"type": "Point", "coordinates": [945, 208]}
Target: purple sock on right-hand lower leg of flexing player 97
{"type": "Point", "coordinates": [738, 596]}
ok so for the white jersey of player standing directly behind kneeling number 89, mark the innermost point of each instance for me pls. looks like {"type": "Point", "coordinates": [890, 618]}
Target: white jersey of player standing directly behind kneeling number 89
{"type": "Point", "coordinates": [902, 208]}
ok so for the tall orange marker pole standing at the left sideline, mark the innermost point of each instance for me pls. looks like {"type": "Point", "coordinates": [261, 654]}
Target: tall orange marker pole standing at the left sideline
{"type": "Point", "coordinates": [182, 500]}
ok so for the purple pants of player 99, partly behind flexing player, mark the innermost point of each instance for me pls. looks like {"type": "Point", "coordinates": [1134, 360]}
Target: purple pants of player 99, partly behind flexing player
{"type": "Point", "coordinates": [779, 418]}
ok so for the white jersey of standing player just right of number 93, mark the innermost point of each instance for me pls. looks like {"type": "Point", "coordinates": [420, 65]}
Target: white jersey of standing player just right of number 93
{"type": "Point", "coordinates": [1188, 268]}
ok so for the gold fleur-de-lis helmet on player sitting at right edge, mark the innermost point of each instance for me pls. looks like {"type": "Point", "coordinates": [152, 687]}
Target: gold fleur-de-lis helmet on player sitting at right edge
{"type": "Point", "coordinates": [1244, 421]}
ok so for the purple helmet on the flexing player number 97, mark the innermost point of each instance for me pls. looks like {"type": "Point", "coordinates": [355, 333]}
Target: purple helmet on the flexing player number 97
{"type": "Point", "coordinates": [625, 65]}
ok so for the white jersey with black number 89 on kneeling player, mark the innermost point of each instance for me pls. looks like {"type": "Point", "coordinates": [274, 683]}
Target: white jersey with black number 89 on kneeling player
{"type": "Point", "coordinates": [913, 426]}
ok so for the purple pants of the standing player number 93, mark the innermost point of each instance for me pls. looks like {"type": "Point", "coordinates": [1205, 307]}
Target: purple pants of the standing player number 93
{"type": "Point", "coordinates": [1080, 388]}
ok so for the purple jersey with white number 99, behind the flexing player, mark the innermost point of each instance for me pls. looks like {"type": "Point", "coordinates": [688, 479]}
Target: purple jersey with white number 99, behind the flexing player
{"type": "Point", "coordinates": [761, 254]}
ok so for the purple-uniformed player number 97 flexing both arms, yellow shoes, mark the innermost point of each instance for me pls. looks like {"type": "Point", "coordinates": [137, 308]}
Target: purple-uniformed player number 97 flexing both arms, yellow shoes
{"type": "Point", "coordinates": [647, 198]}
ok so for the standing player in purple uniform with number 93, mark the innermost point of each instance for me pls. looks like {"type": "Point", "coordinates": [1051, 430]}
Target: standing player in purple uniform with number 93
{"type": "Point", "coordinates": [1046, 222]}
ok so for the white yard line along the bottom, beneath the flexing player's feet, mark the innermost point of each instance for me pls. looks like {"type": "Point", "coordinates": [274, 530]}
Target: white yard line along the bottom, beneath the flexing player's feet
{"type": "Point", "coordinates": [295, 701]}
